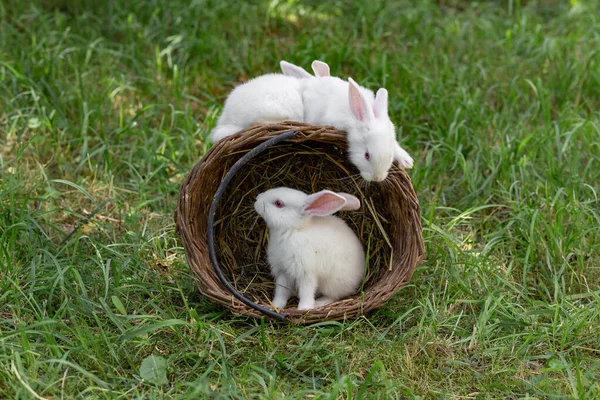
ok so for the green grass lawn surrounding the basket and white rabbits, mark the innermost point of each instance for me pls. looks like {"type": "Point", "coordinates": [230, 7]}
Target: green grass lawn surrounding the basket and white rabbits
{"type": "Point", "coordinates": [105, 106]}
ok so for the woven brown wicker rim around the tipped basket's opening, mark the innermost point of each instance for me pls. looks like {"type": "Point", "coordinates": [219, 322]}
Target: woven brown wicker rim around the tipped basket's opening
{"type": "Point", "coordinates": [197, 195]}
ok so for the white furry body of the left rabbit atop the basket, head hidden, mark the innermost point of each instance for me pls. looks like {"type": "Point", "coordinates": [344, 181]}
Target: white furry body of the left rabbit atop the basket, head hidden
{"type": "Point", "coordinates": [269, 98]}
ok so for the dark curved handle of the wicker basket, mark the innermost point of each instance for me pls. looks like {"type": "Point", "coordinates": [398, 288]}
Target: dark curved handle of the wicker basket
{"type": "Point", "coordinates": [211, 220]}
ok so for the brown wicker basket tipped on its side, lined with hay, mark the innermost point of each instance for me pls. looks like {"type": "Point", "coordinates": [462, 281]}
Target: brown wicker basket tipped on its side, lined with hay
{"type": "Point", "coordinates": [215, 218]}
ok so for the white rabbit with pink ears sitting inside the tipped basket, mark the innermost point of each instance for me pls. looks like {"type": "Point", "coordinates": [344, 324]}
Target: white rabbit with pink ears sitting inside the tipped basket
{"type": "Point", "coordinates": [310, 251]}
